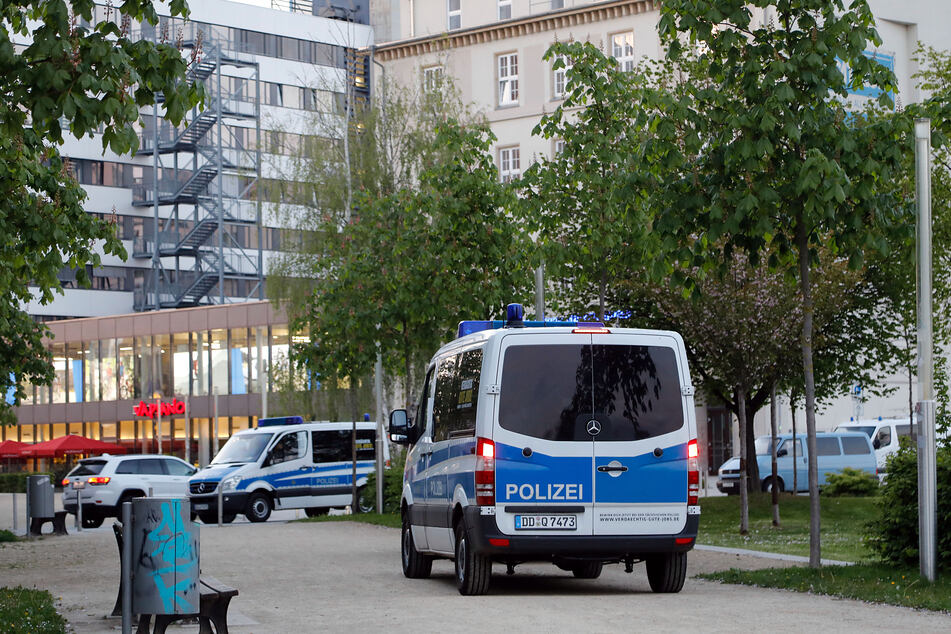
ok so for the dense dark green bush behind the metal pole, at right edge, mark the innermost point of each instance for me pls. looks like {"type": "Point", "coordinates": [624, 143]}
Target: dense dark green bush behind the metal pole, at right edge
{"type": "Point", "coordinates": [893, 534]}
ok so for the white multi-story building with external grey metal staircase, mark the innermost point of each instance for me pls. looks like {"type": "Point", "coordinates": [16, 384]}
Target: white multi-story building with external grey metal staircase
{"type": "Point", "coordinates": [191, 205]}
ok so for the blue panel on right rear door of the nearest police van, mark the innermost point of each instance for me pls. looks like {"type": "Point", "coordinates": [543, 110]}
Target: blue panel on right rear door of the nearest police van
{"type": "Point", "coordinates": [648, 479]}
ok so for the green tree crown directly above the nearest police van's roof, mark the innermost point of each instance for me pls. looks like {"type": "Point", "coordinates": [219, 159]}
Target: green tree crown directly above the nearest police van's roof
{"type": "Point", "coordinates": [586, 202]}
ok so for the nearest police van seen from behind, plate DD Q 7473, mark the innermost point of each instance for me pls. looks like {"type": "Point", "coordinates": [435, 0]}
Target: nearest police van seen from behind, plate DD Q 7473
{"type": "Point", "coordinates": [565, 442]}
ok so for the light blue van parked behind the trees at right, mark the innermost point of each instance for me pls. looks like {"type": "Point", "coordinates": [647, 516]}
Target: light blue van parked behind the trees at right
{"type": "Point", "coordinates": [834, 452]}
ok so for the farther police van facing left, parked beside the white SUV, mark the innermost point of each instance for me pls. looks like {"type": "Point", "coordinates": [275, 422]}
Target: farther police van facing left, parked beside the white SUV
{"type": "Point", "coordinates": [285, 463]}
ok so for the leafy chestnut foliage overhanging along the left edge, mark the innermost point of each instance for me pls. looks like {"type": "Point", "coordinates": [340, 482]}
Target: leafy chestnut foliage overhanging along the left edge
{"type": "Point", "coordinates": [87, 77]}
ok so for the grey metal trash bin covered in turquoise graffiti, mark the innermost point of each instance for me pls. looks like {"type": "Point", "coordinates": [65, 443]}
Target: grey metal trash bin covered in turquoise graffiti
{"type": "Point", "coordinates": [164, 557]}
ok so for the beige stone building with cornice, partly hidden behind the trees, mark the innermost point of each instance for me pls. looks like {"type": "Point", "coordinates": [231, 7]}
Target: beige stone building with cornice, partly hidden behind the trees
{"type": "Point", "coordinates": [493, 50]}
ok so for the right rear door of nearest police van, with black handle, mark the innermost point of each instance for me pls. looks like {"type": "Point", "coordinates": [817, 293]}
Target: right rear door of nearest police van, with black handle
{"type": "Point", "coordinates": [640, 445]}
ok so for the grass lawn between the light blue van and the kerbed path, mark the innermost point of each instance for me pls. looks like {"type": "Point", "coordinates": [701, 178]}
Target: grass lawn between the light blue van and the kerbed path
{"type": "Point", "coordinates": [843, 525]}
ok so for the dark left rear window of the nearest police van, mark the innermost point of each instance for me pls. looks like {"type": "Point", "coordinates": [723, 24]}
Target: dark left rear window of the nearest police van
{"type": "Point", "coordinates": [546, 391]}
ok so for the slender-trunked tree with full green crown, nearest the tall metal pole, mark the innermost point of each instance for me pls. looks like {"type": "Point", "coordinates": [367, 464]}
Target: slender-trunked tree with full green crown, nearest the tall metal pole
{"type": "Point", "coordinates": [775, 164]}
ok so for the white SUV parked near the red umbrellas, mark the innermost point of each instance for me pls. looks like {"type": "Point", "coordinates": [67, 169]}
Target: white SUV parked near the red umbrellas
{"type": "Point", "coordinates": [108, 481]}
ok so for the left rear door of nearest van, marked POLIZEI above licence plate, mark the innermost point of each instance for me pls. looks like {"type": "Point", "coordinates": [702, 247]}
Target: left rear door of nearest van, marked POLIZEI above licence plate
{"type": "Point", "coordinates": [543, 455]}
